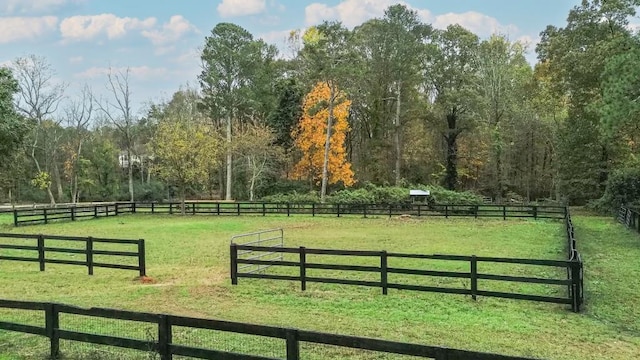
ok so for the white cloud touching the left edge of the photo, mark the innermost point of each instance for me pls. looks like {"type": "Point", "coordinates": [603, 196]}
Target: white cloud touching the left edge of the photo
{"type": "Point", "coordinates": [25, 28]}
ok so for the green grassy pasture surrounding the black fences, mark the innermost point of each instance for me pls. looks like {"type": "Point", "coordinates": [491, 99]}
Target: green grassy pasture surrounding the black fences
{"type": "Point", "coordinates": [188, 257]}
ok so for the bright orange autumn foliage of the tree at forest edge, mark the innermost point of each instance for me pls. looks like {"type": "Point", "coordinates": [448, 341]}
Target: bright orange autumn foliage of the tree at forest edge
{"type": "Point", "coordinates": [310, 136]}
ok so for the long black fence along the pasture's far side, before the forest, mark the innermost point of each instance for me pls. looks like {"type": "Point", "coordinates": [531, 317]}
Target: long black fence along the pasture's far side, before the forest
{"type": "Point", "coordinates": [44, 216]}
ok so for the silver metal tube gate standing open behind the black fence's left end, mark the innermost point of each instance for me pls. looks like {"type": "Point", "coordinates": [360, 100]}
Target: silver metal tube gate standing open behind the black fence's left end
{"type": "Point", "coordinates": [265, 238]}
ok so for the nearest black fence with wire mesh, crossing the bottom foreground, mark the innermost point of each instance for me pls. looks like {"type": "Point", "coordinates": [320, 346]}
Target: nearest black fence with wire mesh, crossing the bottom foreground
{"type": "Point", "coordinates": [165, 346]}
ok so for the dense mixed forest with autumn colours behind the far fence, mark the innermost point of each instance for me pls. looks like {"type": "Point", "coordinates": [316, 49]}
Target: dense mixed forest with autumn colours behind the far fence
{"type": "Point", "coordinates": [392, 102]}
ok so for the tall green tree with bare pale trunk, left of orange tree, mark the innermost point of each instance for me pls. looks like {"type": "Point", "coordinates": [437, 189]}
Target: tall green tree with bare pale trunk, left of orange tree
{"type": "Point", "coordinates": [235, 70]}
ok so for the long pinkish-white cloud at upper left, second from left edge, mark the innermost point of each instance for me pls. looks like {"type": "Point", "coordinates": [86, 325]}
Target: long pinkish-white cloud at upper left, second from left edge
{"type": "Point", "coordinates": [91, 26]}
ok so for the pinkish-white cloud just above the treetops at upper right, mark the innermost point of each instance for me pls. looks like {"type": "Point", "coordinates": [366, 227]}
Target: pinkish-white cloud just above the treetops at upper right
{"type": "Point", "coordinates": [476, 22]}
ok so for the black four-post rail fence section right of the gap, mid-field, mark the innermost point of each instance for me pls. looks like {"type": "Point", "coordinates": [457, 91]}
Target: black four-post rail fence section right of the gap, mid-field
{"type": "Point", "coordinates": [572, 282]}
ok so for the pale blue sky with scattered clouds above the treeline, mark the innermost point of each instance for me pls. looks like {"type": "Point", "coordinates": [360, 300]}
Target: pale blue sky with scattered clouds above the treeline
{"type": "Point", "coordinates": [159, 39]}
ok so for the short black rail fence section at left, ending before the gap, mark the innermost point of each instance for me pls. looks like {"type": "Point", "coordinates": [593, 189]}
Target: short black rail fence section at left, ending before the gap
{"type": "Point", "coordinates": [34, 248]}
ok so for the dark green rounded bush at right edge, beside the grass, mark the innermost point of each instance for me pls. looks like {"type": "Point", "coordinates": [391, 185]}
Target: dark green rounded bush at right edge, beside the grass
{"type": "Point", "coordinates": [623, 188]}
